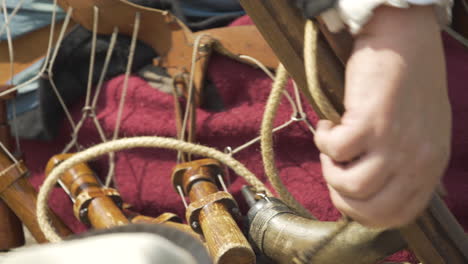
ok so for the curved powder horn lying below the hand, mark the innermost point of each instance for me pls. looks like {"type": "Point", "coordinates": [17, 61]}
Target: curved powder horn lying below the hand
{"type": "Point", "coordinates": [285, 237]}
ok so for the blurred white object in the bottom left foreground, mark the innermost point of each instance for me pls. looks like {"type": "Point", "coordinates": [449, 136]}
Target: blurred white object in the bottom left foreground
{"type": "Point", "coordinates": [121, 248]}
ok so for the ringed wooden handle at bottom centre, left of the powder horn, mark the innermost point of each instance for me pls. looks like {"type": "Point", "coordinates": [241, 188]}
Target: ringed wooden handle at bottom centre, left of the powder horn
{"type": "Point", "coordinates": [210, 212]}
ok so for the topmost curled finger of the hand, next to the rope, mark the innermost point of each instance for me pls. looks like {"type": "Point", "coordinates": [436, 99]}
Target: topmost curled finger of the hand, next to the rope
{"type": "Point", "coordinates": [343, 142]}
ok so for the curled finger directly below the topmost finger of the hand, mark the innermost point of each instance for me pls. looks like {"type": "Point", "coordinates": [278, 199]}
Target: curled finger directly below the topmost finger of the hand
{"type": "Point", "coordinates": [359, 180]}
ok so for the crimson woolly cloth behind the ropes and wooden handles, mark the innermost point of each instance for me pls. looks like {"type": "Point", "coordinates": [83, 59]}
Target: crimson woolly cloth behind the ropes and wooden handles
{"type": "Point", "coordinates": [143, 175]}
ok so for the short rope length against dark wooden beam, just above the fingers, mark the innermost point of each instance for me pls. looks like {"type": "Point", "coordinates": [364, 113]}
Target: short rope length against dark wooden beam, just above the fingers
{"type": "Point", "coordinates": [310, 61]}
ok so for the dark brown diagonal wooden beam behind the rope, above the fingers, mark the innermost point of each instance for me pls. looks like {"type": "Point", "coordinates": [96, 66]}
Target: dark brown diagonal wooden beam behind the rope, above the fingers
{"type": "Point", "coordinates": [282, 26]}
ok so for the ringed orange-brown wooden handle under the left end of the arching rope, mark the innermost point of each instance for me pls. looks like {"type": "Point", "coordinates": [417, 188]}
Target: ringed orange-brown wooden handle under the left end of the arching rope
{"type": "Point", "coordinates": [93, 204]}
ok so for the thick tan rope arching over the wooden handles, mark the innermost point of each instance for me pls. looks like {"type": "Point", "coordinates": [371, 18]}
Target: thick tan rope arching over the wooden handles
{"type": "Point", "coordinates": [130, 143]}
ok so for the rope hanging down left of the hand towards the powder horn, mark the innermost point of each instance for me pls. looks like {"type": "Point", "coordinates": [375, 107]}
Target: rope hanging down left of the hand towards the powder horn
{"type": "Point", "coordinates": [267, 142]}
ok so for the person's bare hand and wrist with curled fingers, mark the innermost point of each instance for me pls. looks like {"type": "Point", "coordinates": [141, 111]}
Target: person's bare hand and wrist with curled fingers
{"type": "Point", "coordinates": [384, 161]}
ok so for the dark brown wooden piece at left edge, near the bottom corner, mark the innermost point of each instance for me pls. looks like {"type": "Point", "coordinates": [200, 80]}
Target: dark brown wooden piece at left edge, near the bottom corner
{"type": "Point", "coordinates": [11, 229]}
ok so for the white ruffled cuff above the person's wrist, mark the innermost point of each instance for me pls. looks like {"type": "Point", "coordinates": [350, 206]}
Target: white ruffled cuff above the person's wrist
{"type": "Point", "coordinates": [355, 14]}
